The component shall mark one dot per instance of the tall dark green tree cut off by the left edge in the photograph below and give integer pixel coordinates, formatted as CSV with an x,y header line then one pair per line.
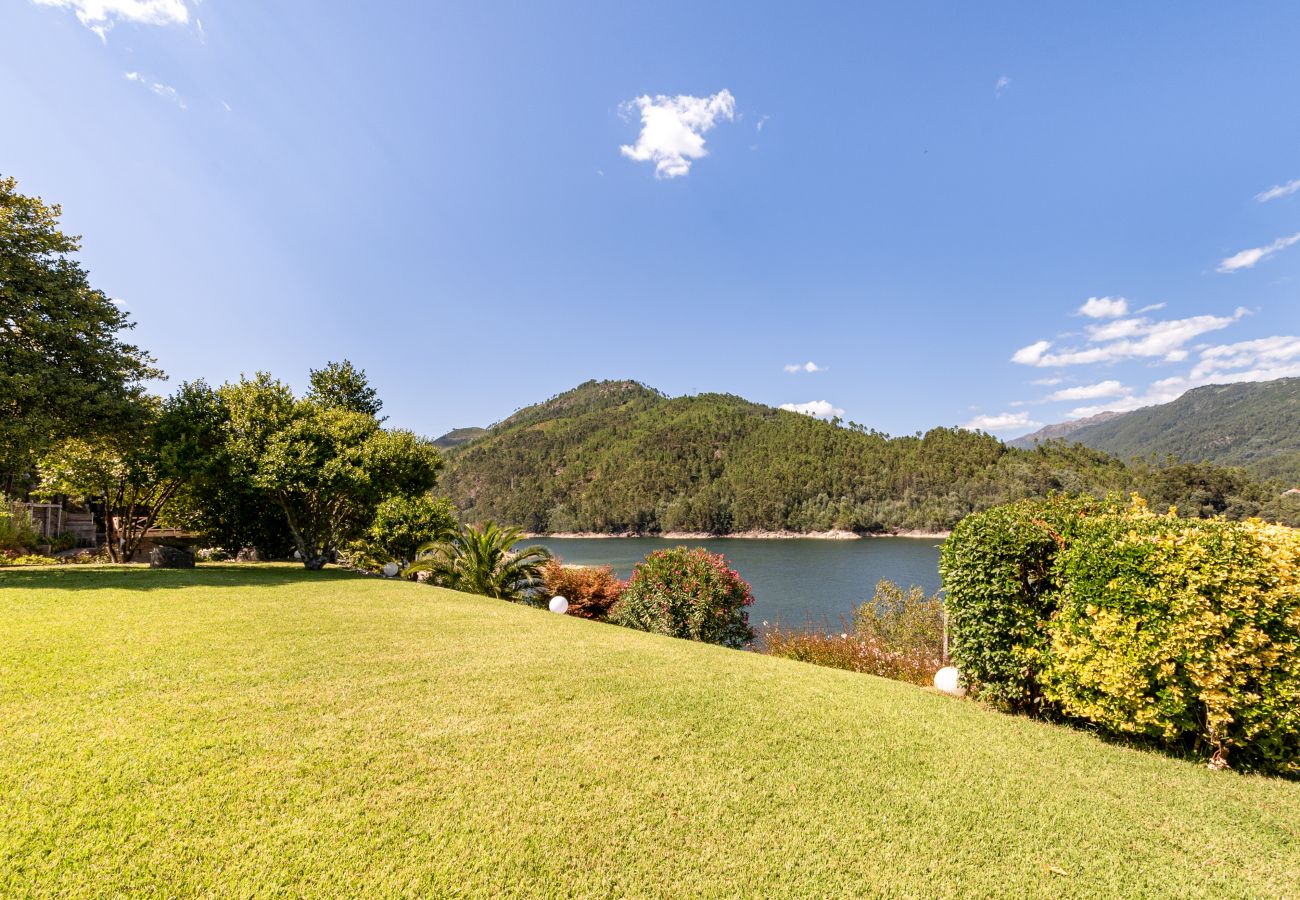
x,y
64,369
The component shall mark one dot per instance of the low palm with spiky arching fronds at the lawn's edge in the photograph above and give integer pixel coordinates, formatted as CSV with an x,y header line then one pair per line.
x,y
482,561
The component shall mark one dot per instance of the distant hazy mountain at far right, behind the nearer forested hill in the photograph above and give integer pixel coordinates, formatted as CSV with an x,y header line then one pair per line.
x,y
1255,426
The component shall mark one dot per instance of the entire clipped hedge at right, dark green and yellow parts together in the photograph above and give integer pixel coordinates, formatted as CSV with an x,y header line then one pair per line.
x,y
1181,631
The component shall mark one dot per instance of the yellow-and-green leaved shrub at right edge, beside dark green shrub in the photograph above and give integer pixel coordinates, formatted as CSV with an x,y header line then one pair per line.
x,y
1185,633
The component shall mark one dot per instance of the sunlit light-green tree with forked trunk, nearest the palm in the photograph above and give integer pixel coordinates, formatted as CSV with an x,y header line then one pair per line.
x,y
327,468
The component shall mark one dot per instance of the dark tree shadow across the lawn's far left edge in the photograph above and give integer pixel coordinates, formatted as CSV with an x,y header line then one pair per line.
x,y
142,578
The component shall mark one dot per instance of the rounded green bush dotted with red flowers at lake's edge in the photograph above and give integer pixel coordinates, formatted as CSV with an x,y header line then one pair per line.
x,y
687,594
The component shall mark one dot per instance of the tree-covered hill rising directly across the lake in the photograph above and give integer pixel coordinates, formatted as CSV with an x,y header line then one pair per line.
x,y
617,456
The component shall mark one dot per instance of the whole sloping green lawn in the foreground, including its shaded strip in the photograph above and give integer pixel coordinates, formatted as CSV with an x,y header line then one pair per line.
x,y
239,732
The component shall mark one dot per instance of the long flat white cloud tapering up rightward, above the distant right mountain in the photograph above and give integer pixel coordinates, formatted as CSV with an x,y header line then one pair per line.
x,y
1129,339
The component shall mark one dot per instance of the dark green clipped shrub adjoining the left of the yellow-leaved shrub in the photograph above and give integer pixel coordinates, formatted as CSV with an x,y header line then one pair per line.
x,y
999,582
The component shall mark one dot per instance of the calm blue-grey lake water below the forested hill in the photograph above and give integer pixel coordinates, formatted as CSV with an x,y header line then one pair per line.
x,y
795,581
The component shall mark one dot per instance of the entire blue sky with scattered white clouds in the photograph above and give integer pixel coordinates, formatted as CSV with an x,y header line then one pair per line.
x,y
993,215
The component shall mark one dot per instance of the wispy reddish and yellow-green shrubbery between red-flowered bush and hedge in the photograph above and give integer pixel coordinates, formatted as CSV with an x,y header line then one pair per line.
x,y
899,634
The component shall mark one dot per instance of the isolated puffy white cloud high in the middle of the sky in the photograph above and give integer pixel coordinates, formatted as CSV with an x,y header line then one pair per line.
x,y
673,129
